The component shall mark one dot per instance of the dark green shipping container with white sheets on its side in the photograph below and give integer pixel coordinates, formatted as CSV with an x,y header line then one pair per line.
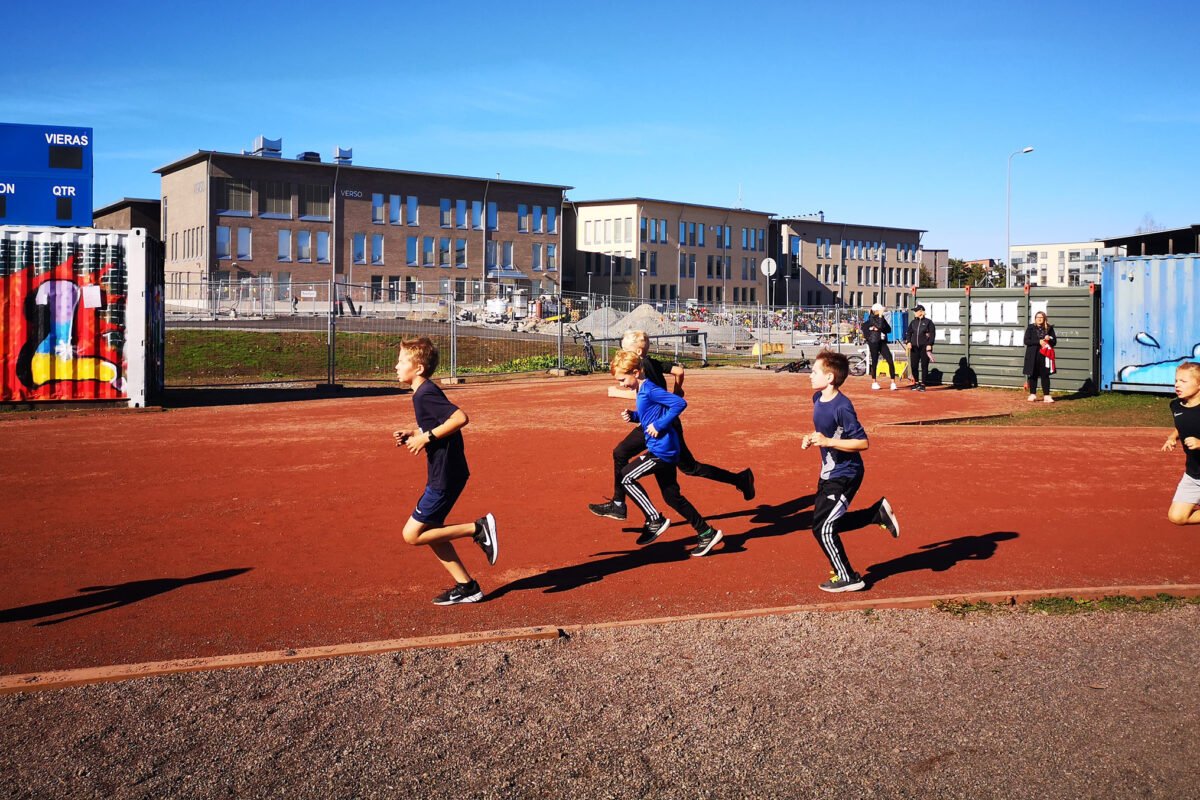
x,y
981,335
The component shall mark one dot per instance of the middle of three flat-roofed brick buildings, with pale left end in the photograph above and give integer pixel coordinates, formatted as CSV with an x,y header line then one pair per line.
x,y
664,251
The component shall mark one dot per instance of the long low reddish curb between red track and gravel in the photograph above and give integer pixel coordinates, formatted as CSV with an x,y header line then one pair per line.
x,y
70,678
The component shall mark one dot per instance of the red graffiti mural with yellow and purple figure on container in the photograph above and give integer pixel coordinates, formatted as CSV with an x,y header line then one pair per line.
x,y
63,333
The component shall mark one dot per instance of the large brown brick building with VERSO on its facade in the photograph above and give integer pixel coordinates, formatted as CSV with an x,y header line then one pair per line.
x,y
230,218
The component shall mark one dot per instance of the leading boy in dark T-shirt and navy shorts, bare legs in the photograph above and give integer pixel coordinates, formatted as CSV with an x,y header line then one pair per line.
x,y
439,434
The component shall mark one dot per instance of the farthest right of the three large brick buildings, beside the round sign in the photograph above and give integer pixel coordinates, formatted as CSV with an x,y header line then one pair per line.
x,y
829,263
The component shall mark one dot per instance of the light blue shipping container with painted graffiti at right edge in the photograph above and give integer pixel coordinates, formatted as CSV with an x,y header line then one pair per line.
x,y
1151,321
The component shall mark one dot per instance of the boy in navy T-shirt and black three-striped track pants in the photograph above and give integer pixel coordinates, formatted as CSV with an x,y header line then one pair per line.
x,y
842,440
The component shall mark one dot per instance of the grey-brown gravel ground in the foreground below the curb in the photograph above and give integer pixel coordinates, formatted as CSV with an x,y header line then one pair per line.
x,y
874,705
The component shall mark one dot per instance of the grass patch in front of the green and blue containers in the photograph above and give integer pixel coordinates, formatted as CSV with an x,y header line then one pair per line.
x,y
1103,411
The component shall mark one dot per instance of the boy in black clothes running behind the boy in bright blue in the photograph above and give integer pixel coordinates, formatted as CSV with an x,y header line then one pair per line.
x,y
635,443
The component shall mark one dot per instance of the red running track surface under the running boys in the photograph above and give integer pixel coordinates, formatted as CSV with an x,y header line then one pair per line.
x,y
201,532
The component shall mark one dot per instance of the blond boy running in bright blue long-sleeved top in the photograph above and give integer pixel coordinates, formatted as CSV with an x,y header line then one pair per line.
x,y
657,413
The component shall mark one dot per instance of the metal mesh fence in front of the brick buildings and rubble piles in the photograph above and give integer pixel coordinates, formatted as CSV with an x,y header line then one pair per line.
x,y
255,332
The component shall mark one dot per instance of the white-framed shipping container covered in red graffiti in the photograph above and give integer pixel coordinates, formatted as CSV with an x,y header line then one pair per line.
x,y
80,315
